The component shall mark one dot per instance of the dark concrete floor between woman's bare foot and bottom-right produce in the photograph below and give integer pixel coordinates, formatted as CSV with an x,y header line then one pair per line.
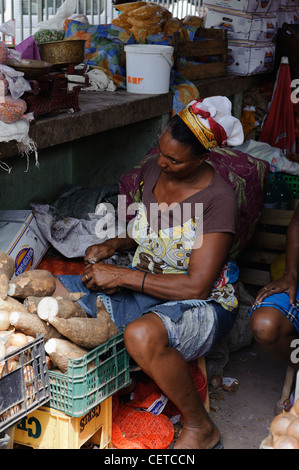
x,y
244,416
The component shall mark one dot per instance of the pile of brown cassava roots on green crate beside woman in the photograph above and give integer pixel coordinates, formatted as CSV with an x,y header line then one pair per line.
x,y
28,308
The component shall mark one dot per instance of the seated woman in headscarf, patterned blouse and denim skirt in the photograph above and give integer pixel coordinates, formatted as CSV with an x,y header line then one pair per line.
x,y
179,295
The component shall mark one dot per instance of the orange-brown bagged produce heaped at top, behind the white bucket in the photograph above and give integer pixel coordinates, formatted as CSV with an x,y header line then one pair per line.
x,y
142,19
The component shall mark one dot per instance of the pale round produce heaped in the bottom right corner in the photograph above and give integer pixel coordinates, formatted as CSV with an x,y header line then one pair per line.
x,y
284,430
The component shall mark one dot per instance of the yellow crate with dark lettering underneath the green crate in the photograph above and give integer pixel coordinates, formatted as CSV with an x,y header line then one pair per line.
x,y
47,428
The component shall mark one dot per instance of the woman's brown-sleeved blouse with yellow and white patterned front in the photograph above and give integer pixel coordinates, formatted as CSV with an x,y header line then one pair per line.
x,y
165,238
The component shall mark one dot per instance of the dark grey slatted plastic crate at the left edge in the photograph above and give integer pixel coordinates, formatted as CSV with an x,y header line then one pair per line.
x,y
25,388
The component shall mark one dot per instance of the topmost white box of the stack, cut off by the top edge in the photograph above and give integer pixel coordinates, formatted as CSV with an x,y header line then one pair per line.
x,y
248,6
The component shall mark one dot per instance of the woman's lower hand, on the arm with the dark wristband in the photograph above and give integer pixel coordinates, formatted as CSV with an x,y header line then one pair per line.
x,y
102,276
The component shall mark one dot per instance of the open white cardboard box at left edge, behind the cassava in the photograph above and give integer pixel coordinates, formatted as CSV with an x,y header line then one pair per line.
x,y
21,238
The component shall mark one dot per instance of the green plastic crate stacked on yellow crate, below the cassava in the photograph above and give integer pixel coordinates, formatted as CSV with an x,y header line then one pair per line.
x,y
79,407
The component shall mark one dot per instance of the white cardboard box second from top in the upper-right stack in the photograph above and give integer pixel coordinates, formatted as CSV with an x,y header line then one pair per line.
x,y
243,26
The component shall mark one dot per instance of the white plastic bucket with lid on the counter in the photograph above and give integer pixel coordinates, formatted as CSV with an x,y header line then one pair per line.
x,y
148,68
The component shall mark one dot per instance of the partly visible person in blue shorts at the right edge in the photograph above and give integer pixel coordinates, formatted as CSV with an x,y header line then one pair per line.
x,y
275,313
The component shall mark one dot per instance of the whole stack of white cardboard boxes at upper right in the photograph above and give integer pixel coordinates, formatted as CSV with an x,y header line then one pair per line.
x,y
251,27
